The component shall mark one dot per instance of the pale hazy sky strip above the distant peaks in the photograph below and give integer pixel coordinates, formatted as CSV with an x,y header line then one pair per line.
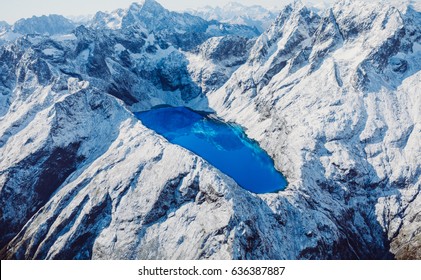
x,y
12,10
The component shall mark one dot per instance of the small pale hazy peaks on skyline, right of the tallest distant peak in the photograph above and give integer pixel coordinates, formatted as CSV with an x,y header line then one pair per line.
x,y
236,13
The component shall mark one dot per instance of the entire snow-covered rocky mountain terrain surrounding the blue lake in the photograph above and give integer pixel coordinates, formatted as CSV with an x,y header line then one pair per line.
x,y
332,96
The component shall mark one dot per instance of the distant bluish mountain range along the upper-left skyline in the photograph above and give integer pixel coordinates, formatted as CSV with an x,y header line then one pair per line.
x,y
180,29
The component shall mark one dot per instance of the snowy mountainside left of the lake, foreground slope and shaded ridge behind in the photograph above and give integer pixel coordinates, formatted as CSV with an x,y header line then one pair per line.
x,y
63,129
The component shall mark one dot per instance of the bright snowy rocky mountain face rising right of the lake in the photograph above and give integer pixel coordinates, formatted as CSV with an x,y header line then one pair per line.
x,y
335,100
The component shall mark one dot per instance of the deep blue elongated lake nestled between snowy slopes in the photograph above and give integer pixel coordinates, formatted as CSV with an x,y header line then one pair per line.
x,y
225,146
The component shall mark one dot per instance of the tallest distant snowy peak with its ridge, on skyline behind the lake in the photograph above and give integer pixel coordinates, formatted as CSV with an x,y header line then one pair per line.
x,y
180,29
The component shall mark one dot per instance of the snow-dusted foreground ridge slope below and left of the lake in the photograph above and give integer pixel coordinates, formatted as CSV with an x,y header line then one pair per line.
x,y
97,184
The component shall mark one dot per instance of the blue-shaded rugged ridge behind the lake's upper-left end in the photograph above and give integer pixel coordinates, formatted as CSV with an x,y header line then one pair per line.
x,y
130,64
